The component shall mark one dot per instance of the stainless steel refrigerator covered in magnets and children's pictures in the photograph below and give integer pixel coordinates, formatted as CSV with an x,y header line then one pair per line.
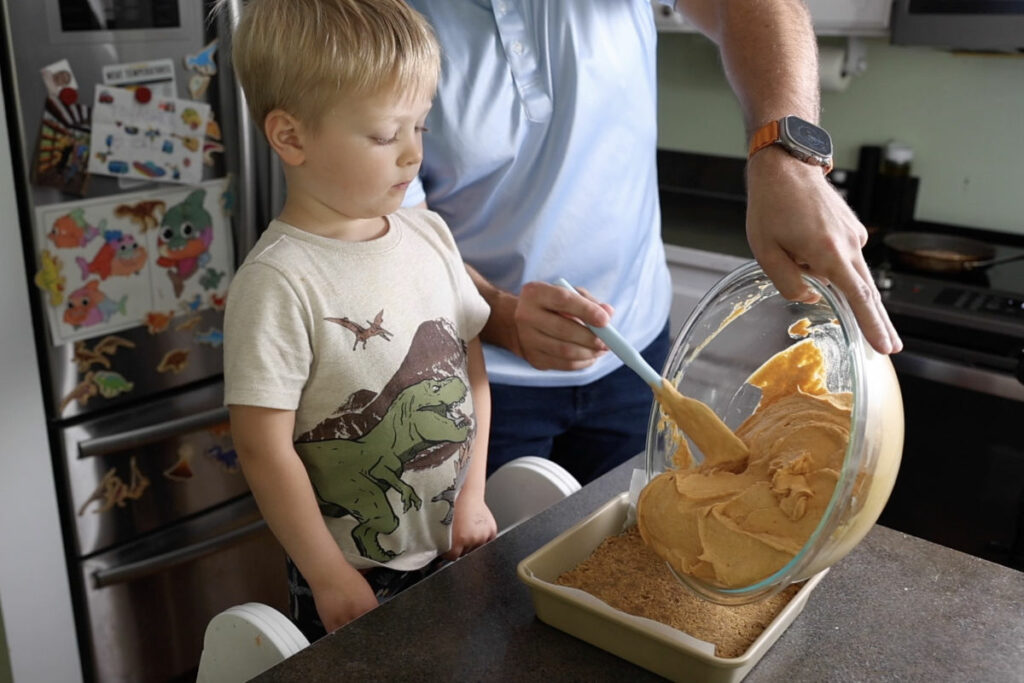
x,y
142,187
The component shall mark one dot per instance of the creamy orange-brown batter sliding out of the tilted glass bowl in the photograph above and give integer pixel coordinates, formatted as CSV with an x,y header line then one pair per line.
x,y
759,494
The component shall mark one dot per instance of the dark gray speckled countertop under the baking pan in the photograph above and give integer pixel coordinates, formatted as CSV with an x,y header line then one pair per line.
x,y
897,609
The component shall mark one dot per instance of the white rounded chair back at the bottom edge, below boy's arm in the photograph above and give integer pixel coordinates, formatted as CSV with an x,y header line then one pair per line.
x,y
244,642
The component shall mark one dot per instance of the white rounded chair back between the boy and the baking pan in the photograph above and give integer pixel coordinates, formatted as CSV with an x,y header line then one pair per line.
x,y
521,489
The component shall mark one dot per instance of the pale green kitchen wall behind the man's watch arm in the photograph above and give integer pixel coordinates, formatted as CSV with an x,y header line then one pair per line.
x,y
964,116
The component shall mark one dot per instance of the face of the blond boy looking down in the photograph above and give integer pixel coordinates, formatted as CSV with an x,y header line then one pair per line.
x,y
365,154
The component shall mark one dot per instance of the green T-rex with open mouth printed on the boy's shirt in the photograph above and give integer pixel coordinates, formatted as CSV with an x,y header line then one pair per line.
x,y
353,477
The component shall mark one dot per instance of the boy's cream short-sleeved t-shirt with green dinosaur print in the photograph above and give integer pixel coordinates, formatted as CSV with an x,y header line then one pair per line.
x,y
367,343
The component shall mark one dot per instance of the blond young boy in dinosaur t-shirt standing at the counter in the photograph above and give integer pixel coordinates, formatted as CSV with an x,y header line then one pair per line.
x,y
359,400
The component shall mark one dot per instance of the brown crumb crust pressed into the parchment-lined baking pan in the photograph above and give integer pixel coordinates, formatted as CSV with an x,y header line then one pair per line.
x,y
628,576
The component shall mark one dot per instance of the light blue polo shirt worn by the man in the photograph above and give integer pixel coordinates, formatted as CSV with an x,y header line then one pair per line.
x,y
541,156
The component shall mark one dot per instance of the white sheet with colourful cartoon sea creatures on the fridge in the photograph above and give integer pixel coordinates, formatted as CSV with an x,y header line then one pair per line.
x,y
113,263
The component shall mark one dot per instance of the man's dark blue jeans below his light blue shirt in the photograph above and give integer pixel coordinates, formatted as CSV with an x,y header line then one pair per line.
x,y
587,430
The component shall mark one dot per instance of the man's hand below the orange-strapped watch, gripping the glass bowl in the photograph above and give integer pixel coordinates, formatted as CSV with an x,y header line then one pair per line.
x,y
797,224
